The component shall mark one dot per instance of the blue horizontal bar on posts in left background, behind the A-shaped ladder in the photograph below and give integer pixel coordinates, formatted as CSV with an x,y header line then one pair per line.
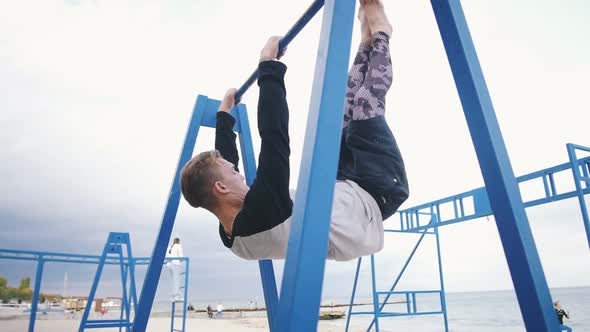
x,y
42,257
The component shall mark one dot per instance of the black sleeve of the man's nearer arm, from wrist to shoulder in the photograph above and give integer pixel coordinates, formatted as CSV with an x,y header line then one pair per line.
x,y
268,202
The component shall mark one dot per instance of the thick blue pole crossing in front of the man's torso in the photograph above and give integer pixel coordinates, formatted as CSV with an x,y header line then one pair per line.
x,y
308,243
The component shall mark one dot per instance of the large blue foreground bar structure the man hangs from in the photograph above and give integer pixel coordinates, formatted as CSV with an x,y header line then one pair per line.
x,y
307,250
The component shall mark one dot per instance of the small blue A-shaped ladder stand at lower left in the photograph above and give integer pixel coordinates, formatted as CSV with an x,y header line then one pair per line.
x,y
114,246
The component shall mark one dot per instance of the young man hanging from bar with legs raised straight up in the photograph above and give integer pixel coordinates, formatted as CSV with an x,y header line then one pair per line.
x,y
371,182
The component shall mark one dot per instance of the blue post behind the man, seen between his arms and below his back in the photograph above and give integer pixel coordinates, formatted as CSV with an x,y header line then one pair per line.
x,y
269,285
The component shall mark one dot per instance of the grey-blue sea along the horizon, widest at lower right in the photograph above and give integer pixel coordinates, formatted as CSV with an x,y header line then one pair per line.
x,y
467,312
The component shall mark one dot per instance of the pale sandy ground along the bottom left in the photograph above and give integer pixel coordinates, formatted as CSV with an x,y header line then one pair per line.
x,y
159,324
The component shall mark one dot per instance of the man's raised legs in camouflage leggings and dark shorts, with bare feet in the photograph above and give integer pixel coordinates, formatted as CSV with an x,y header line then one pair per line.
x,y
375,161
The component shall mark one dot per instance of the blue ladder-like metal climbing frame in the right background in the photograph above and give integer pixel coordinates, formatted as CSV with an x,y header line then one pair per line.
x,y
428,217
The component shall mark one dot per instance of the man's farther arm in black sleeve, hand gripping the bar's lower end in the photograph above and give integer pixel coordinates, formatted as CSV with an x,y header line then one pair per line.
x,y
225,138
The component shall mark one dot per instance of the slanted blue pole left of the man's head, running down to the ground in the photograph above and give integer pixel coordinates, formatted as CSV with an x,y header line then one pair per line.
x,y
150,284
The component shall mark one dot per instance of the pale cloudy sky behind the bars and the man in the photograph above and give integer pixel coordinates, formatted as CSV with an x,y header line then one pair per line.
x,y
96,96
